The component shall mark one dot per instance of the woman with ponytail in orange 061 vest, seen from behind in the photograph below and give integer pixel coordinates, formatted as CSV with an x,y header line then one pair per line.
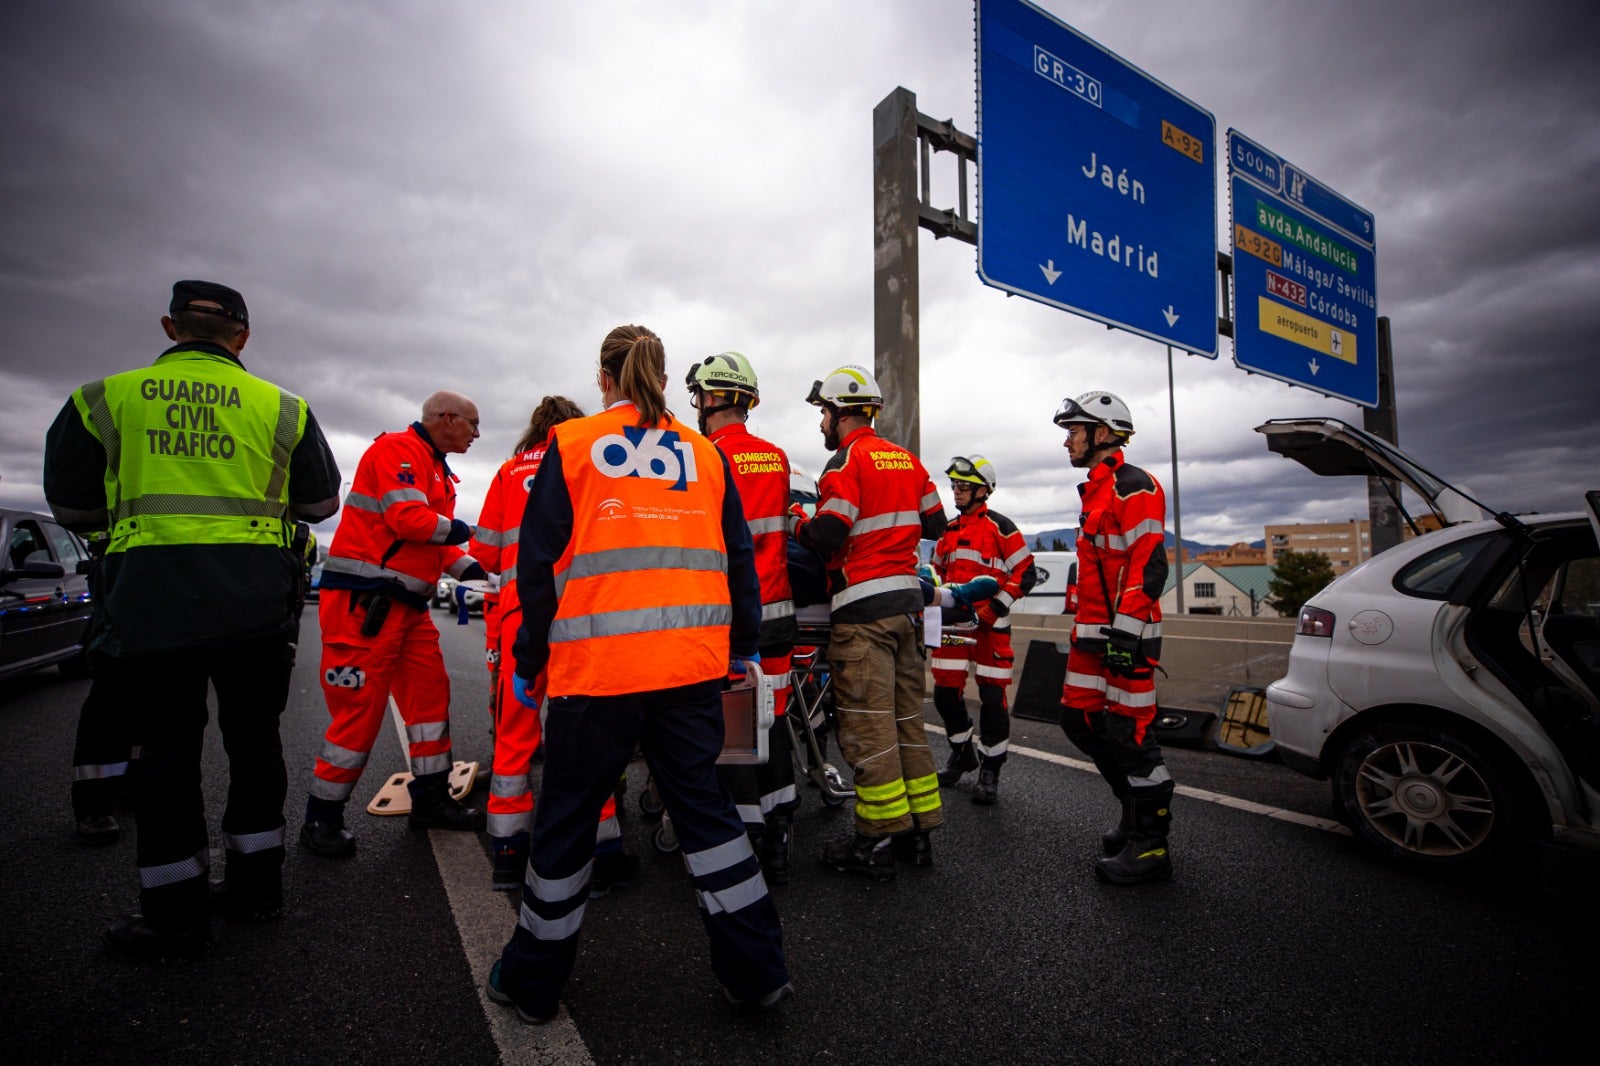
x,y
638,582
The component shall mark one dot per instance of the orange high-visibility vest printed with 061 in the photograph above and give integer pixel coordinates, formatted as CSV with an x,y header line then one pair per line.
x,y
644,582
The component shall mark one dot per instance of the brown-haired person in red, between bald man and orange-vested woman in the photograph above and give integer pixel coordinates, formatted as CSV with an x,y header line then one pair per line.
x,y
516,724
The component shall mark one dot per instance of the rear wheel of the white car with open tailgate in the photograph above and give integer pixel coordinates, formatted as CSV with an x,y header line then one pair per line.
x,y
1425,798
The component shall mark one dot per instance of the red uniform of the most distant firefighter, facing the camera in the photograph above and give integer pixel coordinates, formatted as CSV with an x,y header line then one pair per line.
x,y
980,543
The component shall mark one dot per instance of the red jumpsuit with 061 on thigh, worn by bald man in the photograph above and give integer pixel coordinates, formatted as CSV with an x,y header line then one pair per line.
x,y
391,537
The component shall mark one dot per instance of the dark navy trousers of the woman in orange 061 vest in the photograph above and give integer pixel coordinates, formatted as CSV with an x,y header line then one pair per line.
x,y
588,742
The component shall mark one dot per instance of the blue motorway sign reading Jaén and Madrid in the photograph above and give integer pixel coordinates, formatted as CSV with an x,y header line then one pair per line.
x,y
1097,185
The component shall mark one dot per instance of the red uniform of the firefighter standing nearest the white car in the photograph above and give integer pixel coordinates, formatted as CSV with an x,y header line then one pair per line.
x,y
1122,572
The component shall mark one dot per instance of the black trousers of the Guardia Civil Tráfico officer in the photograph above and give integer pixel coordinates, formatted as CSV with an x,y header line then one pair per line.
x,y
169,700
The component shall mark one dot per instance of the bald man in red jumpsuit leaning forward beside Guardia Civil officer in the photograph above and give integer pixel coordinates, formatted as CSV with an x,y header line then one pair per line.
x,y
398,535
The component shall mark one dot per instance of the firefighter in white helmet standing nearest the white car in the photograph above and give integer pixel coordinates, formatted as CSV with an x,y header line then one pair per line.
x,y
1110,695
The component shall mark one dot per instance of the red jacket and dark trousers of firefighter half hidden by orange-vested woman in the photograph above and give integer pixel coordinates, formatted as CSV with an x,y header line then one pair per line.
x,y
761,471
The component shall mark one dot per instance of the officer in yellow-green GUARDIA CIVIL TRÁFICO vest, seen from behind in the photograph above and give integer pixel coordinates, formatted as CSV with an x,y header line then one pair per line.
x,y
199,471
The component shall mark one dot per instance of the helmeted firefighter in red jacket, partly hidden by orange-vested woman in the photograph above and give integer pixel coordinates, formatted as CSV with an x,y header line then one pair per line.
x,y
724,390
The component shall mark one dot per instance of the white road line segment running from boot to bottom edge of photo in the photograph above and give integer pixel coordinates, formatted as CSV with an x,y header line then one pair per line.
x,y
484,923
